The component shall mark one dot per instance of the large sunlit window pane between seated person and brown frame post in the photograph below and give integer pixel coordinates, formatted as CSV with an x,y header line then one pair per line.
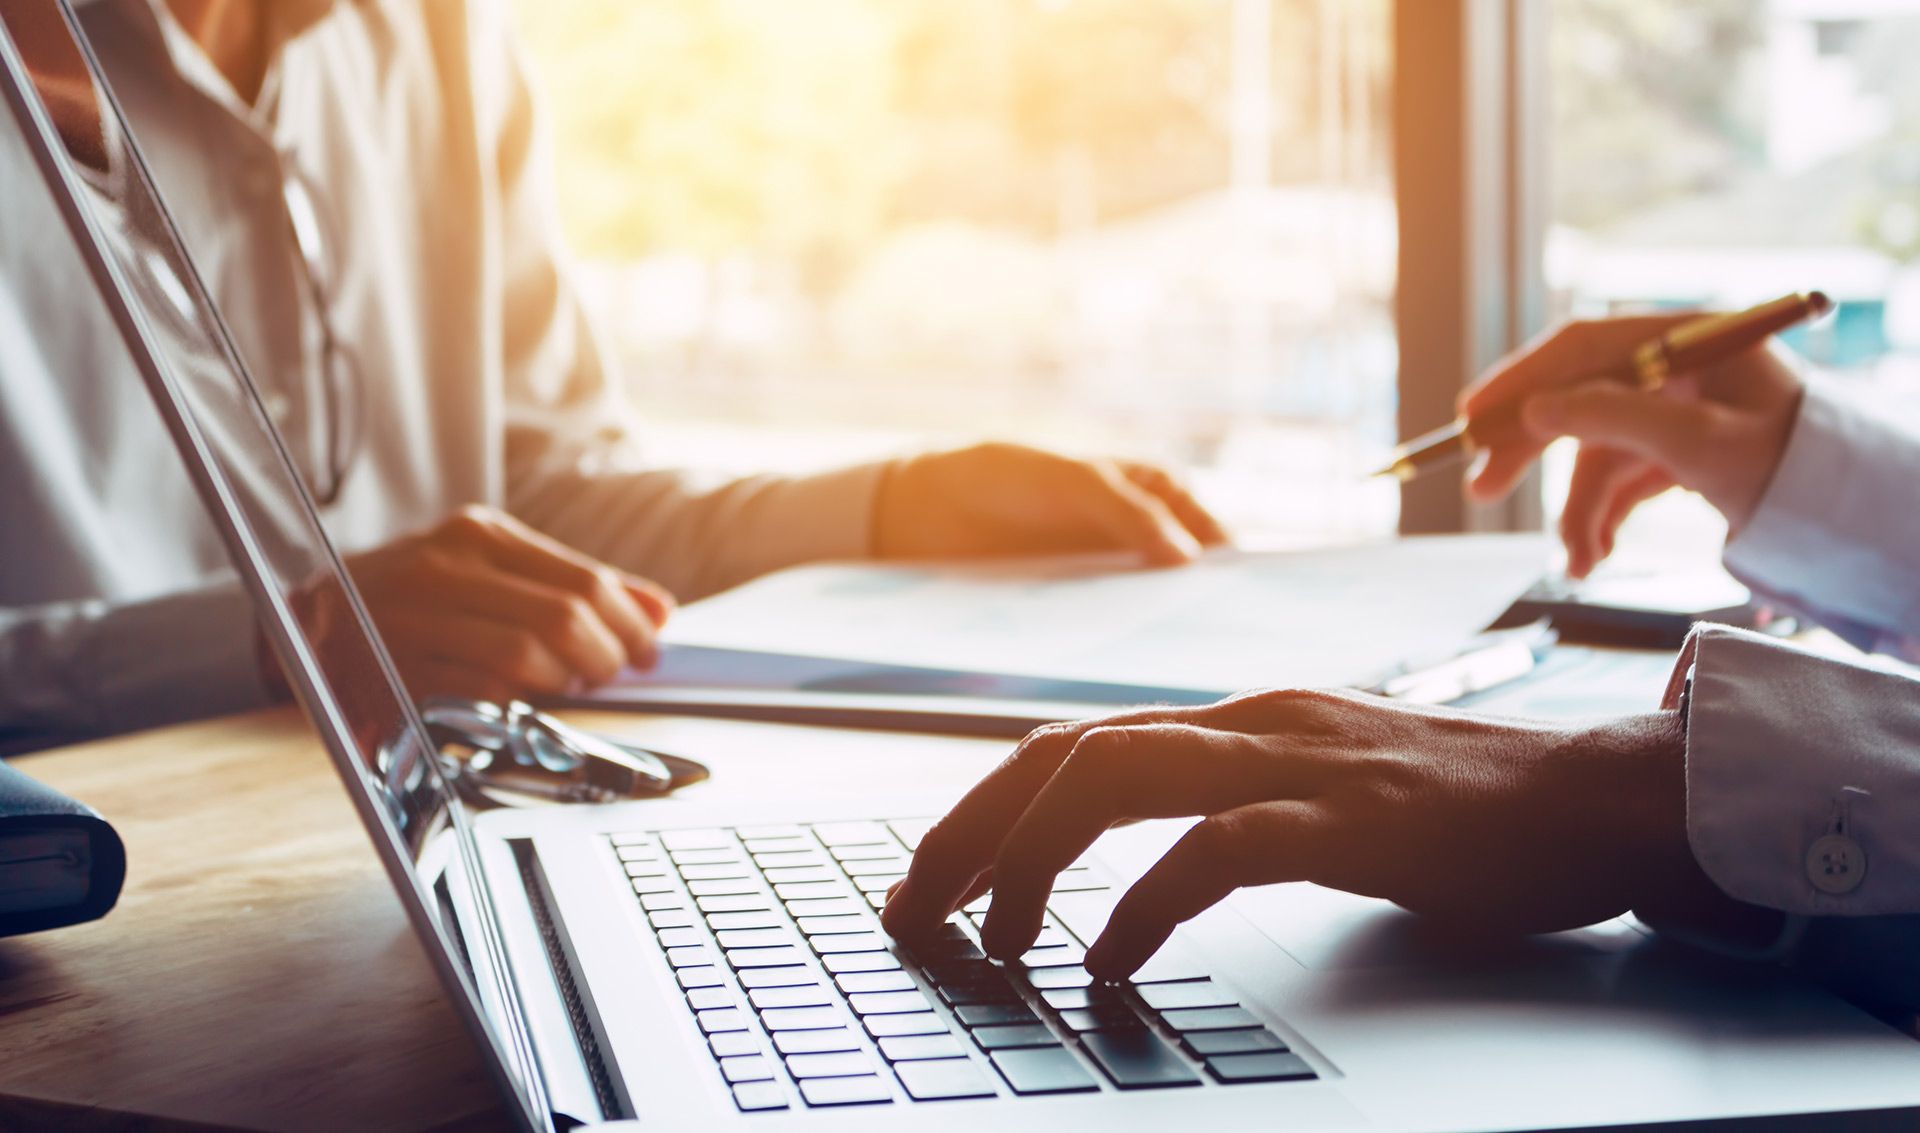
x,y
827,229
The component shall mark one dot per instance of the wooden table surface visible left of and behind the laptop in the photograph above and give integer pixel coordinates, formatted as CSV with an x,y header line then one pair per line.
x,y
258,971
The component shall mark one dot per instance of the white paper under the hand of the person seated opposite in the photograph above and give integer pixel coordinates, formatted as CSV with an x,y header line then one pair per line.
x,y
1237,619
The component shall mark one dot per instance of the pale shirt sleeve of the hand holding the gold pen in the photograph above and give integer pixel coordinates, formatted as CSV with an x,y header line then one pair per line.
x,y
1836,537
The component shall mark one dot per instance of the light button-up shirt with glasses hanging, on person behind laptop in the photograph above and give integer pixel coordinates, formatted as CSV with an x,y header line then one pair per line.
x,y
418,133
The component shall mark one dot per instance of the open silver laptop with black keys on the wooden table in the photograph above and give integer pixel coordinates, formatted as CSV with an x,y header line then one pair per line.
x,y
721,967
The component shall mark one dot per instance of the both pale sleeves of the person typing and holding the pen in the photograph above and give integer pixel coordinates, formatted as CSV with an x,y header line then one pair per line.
x,y
1804,771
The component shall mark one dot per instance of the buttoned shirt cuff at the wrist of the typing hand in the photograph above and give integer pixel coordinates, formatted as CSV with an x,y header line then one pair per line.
x,y
1802,777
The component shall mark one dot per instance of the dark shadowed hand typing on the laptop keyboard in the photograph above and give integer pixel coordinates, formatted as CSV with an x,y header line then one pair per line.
x,y
1512,825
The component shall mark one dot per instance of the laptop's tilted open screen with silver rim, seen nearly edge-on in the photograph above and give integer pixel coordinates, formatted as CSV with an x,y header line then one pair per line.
x,y
393,765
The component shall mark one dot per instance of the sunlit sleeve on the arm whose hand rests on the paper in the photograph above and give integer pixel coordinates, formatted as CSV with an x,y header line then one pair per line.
x,y
571,462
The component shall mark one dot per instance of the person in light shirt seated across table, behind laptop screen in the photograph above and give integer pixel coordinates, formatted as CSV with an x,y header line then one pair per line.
x,y
366,191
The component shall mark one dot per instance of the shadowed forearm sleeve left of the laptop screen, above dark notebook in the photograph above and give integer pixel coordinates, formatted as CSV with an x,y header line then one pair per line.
x,y
80,669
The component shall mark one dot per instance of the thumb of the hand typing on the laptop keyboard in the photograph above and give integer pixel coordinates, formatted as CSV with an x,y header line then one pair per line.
x,y
1262,844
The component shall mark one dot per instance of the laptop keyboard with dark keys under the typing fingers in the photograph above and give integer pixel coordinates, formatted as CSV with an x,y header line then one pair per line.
x,y
775,940
